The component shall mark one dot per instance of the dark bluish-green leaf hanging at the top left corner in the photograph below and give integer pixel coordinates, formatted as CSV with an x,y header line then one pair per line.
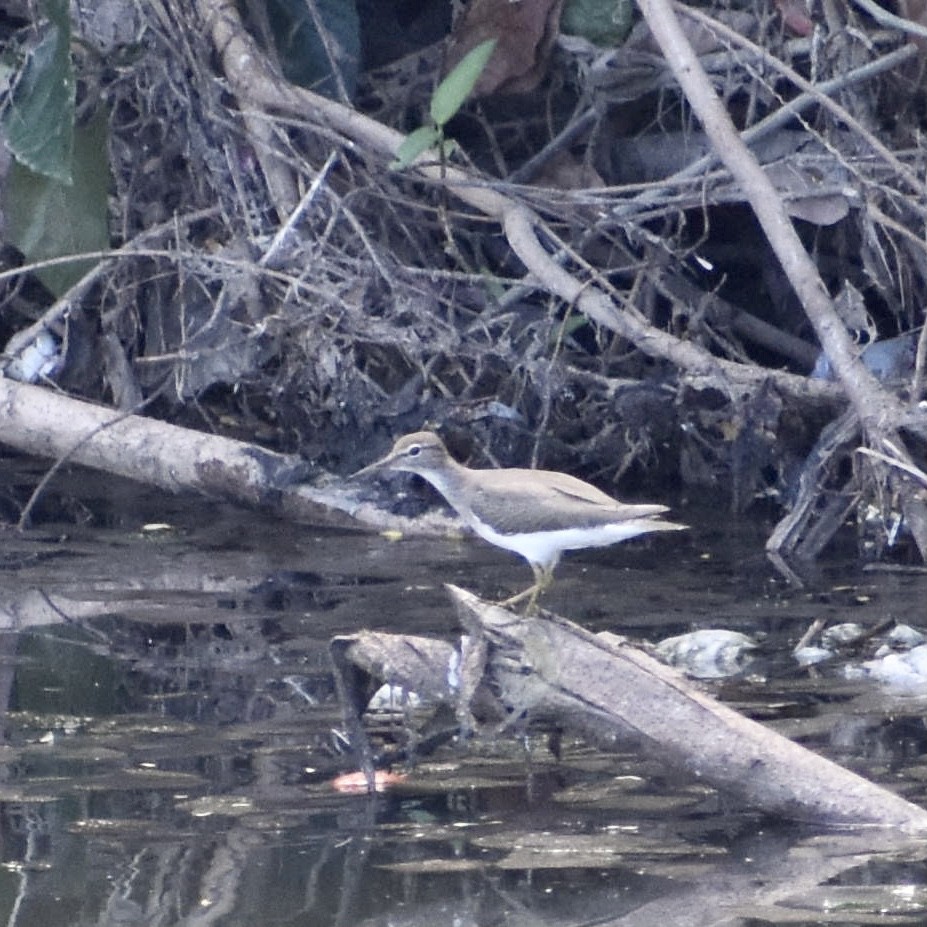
x,y
38,119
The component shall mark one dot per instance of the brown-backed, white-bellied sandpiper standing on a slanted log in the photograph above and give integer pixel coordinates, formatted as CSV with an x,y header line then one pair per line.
x,y
536,513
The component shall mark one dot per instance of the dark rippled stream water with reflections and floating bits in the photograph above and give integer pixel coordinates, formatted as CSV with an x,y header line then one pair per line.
x,y
171,734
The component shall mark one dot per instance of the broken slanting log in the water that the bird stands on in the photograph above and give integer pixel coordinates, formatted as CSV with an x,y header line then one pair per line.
x,y
550,669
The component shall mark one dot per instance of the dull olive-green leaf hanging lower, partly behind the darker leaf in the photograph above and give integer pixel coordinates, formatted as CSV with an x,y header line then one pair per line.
x,y
48,218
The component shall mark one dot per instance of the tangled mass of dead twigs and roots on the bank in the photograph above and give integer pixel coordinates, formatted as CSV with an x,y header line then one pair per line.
x,y
603,276
